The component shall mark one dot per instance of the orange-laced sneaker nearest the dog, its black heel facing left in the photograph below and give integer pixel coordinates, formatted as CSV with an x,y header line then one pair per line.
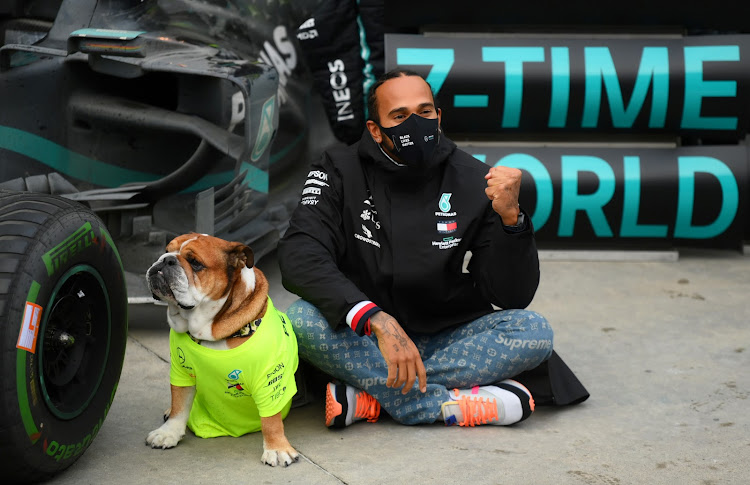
x,y
346,404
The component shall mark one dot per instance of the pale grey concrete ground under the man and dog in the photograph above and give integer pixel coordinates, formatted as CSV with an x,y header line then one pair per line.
x,y
662,346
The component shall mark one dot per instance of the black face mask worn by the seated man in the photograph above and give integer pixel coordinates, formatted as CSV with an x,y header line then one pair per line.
x,y
414,140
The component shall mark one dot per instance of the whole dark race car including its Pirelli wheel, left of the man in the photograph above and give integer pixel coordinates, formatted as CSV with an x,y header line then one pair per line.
x,y
122,124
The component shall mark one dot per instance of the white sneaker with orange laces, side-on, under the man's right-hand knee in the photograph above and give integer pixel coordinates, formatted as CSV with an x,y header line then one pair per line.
x,y
505,403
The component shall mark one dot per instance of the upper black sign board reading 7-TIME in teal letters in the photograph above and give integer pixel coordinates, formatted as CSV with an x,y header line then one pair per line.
x,y
504,86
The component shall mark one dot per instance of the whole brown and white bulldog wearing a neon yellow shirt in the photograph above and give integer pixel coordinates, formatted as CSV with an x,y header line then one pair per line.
x,y
225,330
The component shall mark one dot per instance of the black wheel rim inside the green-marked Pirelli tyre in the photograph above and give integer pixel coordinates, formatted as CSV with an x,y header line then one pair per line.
x,y
75,336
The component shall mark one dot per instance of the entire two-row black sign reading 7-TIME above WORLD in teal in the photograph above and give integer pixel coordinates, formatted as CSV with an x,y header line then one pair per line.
x,y
527,92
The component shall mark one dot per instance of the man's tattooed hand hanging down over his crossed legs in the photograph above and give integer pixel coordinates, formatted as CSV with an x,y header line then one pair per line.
x,y
401,355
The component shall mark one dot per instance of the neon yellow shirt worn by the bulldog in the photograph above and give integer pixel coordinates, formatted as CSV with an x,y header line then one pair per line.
x,y
236,387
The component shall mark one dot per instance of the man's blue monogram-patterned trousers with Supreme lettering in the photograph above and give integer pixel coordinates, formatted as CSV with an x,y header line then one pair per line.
x,y
497,346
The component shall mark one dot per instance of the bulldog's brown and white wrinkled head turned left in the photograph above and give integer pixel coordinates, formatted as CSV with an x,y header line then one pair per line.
x,y
195,276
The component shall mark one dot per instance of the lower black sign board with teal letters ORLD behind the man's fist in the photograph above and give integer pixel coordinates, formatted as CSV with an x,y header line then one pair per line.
x,y
614,196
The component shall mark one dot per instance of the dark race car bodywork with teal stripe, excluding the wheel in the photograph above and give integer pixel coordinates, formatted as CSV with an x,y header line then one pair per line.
x,y
163,116
